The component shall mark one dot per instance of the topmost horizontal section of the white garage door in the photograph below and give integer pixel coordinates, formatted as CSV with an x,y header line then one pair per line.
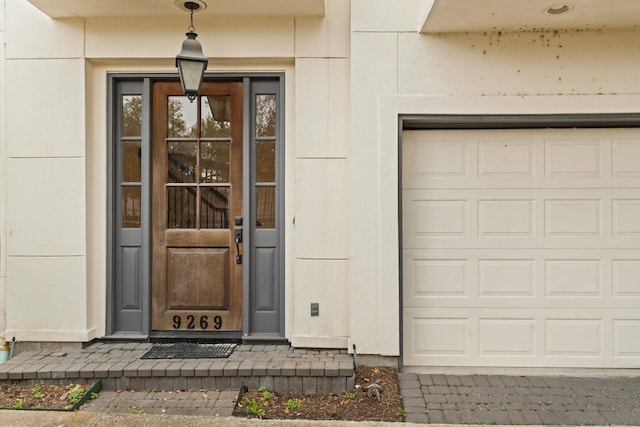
x,y
542,158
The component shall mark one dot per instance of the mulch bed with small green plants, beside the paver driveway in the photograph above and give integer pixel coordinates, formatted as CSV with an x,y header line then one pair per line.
x,y
359,404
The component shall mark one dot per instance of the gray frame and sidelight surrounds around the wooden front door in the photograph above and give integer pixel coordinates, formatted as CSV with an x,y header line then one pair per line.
x,y
128,275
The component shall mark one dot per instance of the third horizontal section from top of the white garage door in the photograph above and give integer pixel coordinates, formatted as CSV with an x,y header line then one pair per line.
x,y
521,278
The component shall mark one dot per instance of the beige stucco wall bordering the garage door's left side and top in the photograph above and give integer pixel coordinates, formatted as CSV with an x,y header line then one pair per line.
x,y
396,70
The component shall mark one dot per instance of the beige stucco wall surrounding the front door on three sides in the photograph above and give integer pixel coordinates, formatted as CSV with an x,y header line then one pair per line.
x,y
56,149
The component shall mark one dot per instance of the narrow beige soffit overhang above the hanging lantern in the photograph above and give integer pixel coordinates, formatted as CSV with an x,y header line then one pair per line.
x,y
124,8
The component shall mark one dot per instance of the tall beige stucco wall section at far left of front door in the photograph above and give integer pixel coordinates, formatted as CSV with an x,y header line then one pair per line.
x,y
45,186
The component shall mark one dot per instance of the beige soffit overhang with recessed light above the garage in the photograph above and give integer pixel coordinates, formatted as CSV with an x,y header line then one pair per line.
x,y
477,16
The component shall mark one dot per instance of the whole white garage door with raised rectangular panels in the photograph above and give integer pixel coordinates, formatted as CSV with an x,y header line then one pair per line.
x,y
521,247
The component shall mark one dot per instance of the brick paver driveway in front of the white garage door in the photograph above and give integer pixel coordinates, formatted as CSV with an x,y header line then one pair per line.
x,y
509,400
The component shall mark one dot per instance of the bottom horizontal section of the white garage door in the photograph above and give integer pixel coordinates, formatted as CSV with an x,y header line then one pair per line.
x,y
522,337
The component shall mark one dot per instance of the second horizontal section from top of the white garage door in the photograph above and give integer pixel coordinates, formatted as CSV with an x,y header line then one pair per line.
x,y
544,218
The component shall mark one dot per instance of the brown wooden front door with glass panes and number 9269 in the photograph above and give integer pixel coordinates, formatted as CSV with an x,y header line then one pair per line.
x,y
196,208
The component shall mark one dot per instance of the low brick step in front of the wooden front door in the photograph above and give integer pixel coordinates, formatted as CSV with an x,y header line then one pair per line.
x,y
278,368
